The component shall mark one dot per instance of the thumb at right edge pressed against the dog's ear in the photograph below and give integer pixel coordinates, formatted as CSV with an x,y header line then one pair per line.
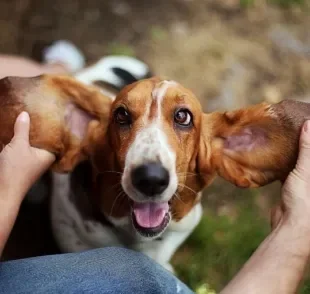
x,y
303,163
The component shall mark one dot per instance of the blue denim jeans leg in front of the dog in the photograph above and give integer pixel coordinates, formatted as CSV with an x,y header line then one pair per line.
x,y
106,270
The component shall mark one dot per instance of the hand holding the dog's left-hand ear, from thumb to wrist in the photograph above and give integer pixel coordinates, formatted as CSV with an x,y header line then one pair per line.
x,y
20,164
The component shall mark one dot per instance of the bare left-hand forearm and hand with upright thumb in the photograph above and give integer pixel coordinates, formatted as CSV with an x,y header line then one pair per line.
x,y
20,166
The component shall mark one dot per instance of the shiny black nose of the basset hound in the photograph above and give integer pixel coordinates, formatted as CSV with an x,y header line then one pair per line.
x,y
150,179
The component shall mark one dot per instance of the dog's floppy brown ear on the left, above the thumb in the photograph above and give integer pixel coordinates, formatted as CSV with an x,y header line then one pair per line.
x,y
66,115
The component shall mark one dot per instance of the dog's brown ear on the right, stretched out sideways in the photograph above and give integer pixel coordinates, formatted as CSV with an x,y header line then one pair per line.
x,y
254,146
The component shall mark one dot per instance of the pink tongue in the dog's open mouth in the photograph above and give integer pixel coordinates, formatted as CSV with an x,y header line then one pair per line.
x,y
150,215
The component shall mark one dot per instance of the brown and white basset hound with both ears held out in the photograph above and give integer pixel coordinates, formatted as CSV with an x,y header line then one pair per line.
x,y
130,172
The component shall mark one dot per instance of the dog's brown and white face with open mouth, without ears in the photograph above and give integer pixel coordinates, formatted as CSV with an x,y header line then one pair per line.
x,y
155,126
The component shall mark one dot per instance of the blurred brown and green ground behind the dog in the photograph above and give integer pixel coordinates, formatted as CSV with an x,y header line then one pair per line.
x,y
231,53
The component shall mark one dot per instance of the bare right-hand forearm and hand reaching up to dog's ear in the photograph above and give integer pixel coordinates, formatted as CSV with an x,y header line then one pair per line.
x,y
279,263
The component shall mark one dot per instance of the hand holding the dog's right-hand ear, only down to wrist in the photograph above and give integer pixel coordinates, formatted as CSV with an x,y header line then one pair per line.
x,y
295,204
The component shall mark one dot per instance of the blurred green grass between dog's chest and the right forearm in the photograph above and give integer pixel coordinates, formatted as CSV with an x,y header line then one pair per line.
x,y
219,247
